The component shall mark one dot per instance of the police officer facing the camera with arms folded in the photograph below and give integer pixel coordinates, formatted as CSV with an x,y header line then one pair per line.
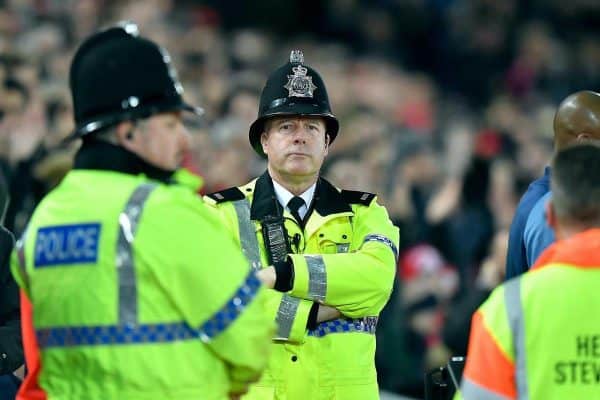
x,y
328,254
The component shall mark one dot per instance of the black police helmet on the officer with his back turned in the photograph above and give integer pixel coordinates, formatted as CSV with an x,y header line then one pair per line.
x,y
117,75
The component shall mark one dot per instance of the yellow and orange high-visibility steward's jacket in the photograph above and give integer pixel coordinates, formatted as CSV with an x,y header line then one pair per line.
x,y
538,335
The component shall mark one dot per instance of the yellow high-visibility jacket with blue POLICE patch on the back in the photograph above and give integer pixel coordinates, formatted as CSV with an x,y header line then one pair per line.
x,y
138,293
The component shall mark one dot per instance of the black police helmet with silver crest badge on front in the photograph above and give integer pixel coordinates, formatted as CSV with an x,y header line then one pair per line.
x,y
293,89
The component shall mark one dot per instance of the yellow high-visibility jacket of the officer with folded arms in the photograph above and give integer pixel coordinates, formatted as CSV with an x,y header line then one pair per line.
x,y
344,257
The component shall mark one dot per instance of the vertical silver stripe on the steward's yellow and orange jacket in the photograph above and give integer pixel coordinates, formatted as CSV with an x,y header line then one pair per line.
x,y
514,310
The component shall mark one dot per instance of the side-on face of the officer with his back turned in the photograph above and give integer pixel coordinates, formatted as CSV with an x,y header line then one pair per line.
x,y
162,140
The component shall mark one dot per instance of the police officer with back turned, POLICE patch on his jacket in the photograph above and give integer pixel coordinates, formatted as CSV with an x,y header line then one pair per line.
x,y
137,292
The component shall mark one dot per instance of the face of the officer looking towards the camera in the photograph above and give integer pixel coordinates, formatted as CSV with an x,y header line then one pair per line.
x,y
295,146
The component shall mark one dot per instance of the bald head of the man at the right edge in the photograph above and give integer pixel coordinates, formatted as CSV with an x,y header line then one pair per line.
x,y
577,119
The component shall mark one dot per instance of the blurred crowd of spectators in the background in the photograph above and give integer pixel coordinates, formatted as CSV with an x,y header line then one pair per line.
x,y
445,107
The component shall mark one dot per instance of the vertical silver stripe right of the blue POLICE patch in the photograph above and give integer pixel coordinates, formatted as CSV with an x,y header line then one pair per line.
x,y
128,222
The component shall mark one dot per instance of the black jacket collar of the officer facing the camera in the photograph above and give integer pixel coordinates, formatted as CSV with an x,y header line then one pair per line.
x,y
327,199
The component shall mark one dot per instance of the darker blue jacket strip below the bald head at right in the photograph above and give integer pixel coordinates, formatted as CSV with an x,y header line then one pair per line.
x,y
516,257
